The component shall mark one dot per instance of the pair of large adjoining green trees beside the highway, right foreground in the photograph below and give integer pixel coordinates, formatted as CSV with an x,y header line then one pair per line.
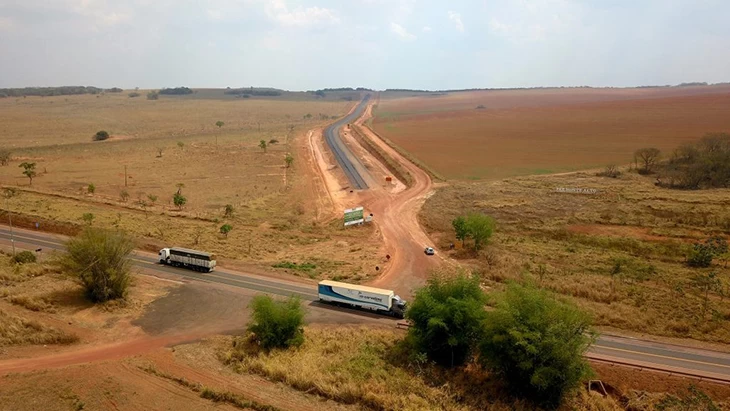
x,y
533,341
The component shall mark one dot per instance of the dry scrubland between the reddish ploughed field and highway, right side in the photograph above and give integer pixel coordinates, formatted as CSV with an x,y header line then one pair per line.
x,y
570,243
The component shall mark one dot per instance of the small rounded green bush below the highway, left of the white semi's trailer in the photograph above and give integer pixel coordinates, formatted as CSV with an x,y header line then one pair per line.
x,y
277,324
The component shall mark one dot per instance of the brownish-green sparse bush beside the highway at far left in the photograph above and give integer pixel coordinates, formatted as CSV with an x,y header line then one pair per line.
x,y
100,260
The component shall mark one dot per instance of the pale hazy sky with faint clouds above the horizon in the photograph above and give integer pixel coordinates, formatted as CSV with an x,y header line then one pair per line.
x,y
311,44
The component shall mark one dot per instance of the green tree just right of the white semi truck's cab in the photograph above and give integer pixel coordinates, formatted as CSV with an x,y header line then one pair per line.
x,y
446,317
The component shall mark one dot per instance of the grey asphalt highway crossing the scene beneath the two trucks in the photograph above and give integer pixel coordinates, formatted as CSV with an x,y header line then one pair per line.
x,y
706,364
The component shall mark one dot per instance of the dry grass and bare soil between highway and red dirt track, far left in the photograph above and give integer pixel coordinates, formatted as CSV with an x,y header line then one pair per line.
x,y
40,306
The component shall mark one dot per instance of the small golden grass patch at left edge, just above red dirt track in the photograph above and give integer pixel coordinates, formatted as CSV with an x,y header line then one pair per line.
x,y
18,331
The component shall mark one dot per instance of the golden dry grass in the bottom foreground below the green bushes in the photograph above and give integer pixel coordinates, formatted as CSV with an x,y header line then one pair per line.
x,y
364,366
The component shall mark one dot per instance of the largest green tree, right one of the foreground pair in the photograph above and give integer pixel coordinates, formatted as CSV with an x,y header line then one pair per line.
x,y
536,343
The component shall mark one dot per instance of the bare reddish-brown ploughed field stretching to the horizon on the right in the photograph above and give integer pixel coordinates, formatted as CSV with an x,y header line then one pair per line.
x,y
524,132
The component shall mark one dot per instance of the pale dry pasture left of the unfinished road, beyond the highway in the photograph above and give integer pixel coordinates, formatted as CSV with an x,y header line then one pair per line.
x,y
274,208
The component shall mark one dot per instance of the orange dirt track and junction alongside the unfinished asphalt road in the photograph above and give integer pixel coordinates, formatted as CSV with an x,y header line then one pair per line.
x,y
394,208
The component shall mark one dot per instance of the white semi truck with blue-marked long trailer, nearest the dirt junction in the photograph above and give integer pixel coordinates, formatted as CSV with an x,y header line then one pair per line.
x,y
359,296
